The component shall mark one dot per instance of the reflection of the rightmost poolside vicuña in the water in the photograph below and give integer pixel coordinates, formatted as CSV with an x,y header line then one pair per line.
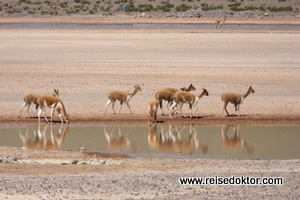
x,y
236,142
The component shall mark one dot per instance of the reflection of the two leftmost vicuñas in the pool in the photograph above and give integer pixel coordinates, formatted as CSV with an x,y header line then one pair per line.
x,y
40,140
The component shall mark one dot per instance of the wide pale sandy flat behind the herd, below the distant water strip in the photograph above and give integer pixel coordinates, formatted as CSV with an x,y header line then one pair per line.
x,y
86,64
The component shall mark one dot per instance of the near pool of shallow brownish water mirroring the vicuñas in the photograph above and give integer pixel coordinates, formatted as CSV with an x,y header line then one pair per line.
x,y
241,142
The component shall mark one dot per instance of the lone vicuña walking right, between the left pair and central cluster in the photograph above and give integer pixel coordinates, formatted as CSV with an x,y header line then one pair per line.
x,y
123,97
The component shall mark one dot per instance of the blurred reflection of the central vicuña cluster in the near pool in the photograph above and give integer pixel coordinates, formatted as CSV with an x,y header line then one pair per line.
x,y
171,140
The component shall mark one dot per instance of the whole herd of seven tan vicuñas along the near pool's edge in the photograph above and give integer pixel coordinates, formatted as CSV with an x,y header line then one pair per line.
x,y
175,98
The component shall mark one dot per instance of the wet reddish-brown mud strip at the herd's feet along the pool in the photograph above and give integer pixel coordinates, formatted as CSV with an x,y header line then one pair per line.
x,y
142,120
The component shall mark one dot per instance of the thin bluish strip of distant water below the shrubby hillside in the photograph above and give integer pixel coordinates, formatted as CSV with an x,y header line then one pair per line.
x,y
143,26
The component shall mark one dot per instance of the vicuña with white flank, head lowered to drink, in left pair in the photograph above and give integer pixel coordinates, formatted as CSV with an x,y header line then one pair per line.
x,y
53,103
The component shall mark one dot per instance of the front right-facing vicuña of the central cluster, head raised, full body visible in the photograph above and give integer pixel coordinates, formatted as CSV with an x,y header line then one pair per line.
x,y
187,97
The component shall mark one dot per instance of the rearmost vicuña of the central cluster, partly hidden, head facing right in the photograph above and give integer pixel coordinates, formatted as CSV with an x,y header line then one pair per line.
x,y
167,95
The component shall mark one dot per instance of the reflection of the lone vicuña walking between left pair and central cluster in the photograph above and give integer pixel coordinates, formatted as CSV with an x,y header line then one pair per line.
x,y
120,143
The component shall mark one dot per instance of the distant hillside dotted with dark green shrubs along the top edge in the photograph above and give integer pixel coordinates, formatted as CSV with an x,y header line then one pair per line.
x,y
153,8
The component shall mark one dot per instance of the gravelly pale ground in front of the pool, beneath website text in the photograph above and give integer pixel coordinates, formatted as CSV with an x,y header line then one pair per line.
x,y
141,178
